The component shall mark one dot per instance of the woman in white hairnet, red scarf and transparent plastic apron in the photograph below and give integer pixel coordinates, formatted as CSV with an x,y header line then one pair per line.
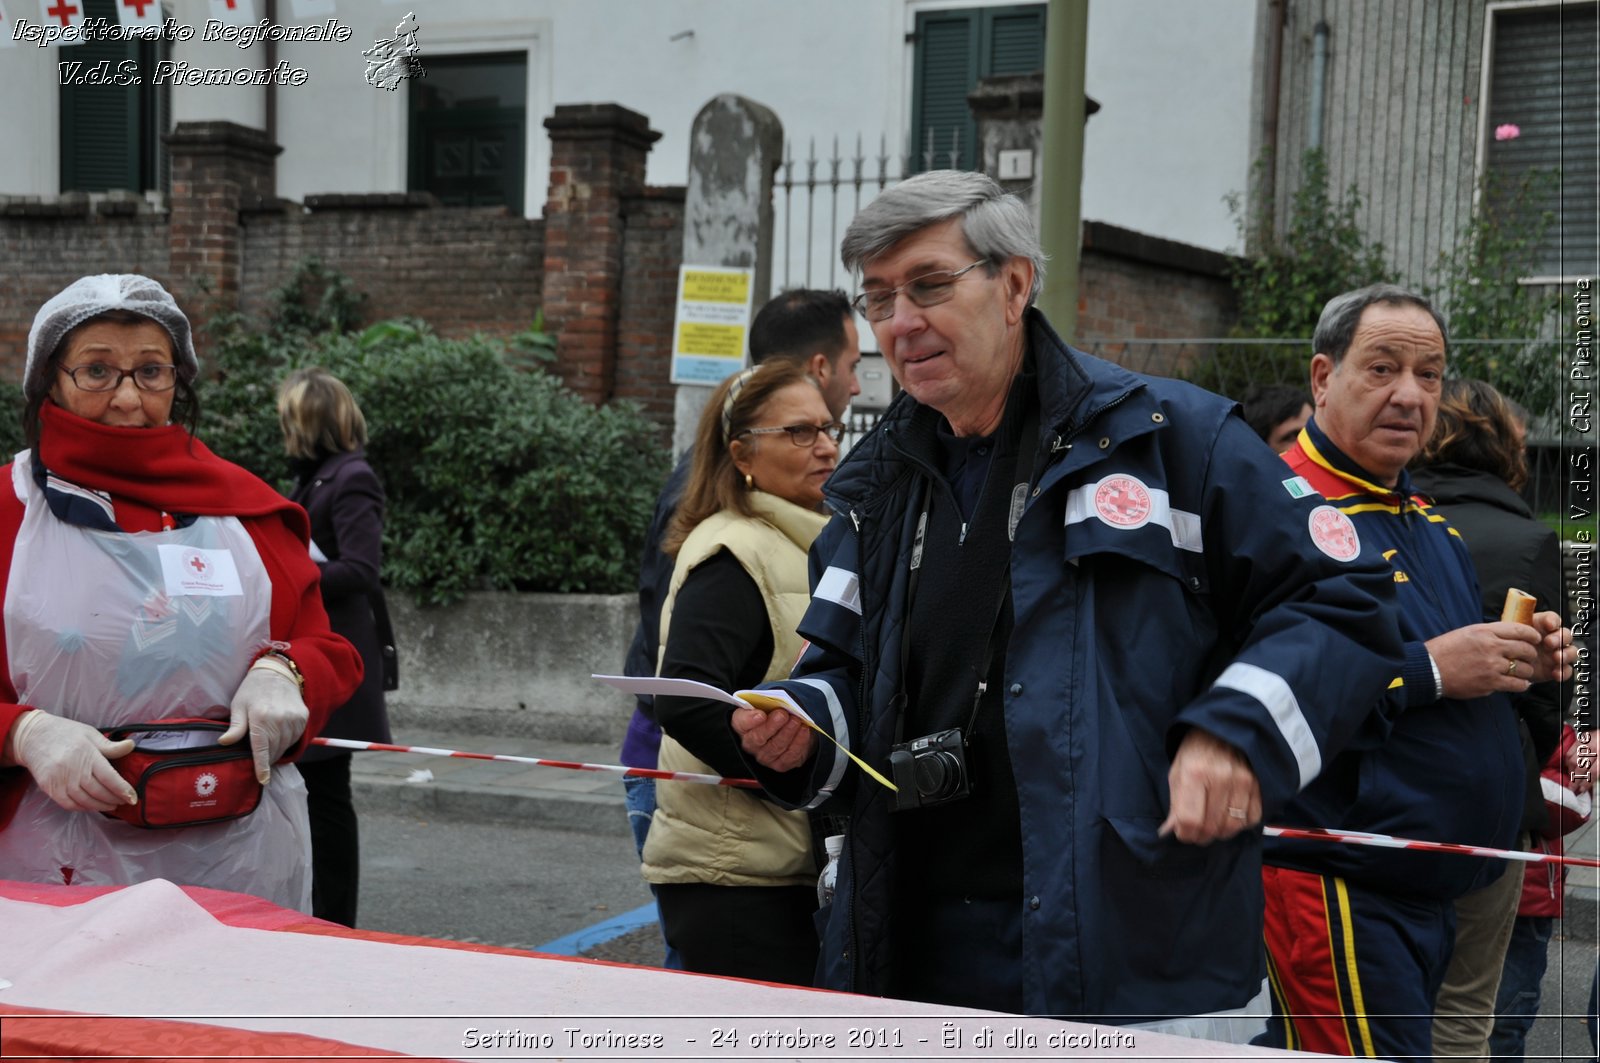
x,y
161,609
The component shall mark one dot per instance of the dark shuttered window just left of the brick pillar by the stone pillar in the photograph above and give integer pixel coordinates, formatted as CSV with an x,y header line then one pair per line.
x,y
468,126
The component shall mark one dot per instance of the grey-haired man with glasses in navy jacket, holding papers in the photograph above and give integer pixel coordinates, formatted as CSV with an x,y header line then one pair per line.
x,y
1082,625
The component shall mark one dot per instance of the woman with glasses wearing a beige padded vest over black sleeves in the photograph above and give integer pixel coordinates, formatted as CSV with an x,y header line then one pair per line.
x,y
735,875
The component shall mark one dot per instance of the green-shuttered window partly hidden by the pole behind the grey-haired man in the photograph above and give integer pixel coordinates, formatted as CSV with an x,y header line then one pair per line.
x,y
954,52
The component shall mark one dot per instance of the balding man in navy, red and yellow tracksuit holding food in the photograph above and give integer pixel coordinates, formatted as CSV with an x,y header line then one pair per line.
x,y
1359,937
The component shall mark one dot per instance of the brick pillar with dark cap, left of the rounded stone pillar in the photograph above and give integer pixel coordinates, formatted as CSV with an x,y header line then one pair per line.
x,y
598,158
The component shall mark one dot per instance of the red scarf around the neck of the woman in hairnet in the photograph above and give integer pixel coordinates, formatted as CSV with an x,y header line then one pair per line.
x,y
161,468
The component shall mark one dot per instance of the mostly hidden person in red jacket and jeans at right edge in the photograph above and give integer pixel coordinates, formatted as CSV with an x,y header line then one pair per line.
x,y
1567,804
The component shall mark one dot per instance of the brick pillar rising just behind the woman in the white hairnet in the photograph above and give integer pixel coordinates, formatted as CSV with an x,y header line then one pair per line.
x,y
218,169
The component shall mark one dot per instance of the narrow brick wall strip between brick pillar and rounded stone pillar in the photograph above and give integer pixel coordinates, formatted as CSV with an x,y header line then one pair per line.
x,y
652,251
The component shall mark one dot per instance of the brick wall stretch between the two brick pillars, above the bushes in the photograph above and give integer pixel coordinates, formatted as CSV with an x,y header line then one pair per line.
x,y
462,270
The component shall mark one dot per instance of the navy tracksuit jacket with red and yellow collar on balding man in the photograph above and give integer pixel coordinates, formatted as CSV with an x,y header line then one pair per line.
x,y
1452,769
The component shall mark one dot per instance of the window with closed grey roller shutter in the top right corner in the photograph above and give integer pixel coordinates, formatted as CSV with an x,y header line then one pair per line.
x,y
1543,114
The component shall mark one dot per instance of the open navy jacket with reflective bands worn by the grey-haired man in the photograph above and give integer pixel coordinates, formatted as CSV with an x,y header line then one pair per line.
x,y
1164,577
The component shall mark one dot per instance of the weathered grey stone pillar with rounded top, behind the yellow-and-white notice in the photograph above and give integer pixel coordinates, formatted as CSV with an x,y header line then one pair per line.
x,y
735,150
